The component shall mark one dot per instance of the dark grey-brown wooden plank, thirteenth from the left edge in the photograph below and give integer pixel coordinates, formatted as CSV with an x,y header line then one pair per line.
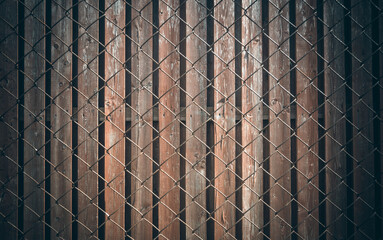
x,y
335,125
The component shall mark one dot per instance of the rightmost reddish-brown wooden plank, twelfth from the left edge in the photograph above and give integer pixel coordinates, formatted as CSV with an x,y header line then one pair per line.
x,y
307,120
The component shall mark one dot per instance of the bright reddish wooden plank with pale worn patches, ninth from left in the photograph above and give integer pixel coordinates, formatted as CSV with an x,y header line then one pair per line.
x,y
224,116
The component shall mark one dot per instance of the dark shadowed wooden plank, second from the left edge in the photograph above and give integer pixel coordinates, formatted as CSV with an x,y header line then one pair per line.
x,y
34,119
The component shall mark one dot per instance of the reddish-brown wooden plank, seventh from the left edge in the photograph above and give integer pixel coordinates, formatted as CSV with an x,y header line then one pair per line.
x,y
168,112
